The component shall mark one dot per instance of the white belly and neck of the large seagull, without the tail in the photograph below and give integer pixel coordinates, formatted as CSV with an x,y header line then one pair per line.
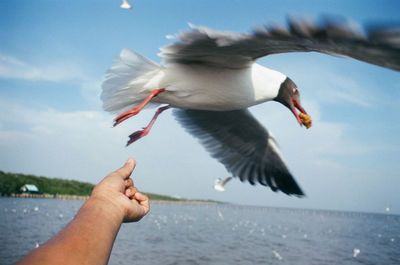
x,y
218,89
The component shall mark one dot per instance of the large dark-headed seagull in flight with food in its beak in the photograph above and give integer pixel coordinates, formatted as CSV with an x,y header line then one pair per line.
x,y
210,78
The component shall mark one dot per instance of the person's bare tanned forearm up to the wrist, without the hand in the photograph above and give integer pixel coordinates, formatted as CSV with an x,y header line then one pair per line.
x,y
87,239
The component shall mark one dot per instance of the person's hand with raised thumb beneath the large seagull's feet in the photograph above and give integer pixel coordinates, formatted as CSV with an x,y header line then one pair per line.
x,y
117,193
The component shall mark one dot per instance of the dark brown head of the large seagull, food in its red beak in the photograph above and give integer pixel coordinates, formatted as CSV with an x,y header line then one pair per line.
x,y
289,96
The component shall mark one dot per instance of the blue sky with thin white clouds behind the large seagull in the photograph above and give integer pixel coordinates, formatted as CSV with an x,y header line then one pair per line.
x,y
53,56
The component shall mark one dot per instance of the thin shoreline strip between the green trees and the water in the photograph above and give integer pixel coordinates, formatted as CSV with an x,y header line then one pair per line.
x,y
83,198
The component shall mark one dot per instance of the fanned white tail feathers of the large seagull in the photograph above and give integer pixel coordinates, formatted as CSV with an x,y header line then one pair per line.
x,y
127,82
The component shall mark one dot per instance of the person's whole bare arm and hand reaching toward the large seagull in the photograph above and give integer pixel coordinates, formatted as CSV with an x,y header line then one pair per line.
x,y
89,237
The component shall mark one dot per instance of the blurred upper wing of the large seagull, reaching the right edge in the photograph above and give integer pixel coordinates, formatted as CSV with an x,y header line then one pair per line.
x,y
201,45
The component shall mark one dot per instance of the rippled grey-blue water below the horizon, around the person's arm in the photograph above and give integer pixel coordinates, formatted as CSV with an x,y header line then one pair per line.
x,y
214,234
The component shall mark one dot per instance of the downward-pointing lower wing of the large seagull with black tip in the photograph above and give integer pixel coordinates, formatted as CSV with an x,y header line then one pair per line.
x,y
242,145
